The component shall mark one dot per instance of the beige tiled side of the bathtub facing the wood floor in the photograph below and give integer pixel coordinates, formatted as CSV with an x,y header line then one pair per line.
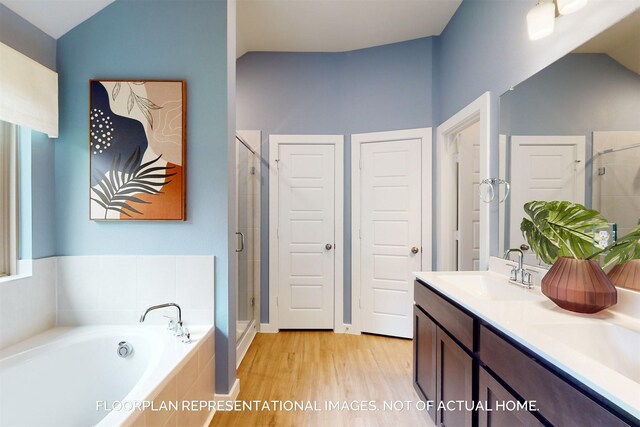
x,y
192,381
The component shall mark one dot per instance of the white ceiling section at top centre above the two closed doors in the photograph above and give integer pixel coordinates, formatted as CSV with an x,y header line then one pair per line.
x,y
337,25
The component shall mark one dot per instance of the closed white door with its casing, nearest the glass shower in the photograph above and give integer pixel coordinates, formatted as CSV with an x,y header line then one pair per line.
x,y
306,210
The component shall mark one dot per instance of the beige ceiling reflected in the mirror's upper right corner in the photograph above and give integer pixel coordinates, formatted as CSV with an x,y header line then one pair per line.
x,y
621,42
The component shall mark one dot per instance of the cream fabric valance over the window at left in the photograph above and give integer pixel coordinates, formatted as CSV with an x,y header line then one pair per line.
x,y
28,92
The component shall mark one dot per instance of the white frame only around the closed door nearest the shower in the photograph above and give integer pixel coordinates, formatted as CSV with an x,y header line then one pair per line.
x,y
338,291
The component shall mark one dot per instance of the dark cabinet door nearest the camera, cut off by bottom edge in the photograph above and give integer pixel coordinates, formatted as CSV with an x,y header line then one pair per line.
x,y
492,397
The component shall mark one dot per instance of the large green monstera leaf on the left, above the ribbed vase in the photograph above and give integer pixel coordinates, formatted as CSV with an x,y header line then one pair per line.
x,y
560,228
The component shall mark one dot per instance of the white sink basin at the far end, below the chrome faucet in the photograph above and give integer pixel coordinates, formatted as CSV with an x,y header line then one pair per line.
x,y
486,286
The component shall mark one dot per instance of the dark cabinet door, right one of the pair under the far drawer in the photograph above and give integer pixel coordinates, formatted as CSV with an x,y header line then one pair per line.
x,y
454,383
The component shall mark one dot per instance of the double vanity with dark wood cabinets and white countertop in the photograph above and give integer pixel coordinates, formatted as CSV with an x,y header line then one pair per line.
x,y
490,353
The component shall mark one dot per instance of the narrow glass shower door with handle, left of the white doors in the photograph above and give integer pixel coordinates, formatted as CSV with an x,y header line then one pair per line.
x,y
245,228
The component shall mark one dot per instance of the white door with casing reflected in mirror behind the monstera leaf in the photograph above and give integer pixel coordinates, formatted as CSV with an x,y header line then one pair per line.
x,y
544,168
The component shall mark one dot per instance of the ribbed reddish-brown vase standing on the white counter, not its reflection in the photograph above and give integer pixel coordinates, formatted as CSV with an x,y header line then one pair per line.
x,y
579,285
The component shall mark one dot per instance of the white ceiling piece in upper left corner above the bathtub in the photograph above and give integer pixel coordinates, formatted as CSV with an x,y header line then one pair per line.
x,y
56,17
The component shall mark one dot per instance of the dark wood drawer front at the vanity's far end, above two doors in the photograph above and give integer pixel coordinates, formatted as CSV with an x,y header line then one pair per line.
x,y
451,318
